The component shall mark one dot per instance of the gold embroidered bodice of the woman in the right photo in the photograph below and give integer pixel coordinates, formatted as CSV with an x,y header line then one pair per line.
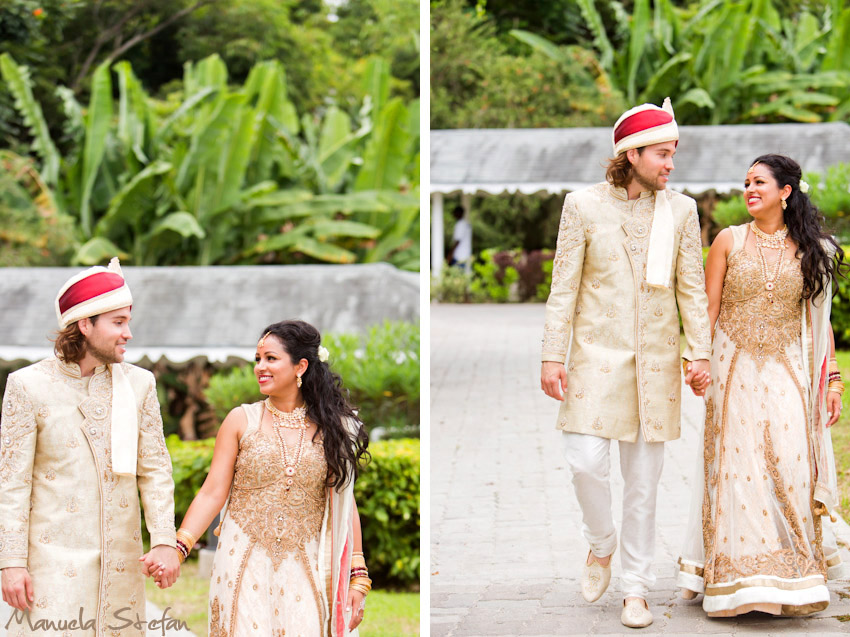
x,y
756,321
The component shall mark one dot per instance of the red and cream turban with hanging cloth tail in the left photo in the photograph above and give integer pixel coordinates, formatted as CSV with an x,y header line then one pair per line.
x,y
96,291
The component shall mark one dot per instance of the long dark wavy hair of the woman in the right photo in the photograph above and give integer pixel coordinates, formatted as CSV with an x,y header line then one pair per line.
x,y
805,226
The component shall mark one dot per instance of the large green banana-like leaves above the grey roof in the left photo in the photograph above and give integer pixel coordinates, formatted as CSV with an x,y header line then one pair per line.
x,y
229,174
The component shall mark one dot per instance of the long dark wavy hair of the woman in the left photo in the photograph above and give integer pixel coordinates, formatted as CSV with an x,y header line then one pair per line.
x,y
326,401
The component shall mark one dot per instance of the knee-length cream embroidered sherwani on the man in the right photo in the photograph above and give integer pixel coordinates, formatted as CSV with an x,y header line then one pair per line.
x,y
623,335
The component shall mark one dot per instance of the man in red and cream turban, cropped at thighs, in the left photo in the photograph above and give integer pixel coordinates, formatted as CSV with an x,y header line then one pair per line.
x,y
81,437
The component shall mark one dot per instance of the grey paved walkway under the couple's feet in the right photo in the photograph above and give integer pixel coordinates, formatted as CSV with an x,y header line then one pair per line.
x,y
505,526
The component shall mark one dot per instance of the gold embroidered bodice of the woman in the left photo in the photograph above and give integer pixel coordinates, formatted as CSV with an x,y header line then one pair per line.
x,y
278,512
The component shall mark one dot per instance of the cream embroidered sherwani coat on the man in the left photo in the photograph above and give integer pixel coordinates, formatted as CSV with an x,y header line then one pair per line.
x,y
64,515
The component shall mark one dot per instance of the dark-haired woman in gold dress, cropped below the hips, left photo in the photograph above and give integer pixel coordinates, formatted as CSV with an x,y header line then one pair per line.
x,y
290,558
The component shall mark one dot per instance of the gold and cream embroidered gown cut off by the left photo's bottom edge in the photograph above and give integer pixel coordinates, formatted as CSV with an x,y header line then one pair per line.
x,y
265,578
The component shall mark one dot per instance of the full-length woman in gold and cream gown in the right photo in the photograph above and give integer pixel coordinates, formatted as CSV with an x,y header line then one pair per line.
x,y
766,474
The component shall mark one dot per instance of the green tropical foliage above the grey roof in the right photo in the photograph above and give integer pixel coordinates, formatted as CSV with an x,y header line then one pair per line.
x,y
722,61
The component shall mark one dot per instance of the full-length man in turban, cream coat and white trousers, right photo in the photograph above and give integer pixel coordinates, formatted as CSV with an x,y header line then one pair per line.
x,y
628,263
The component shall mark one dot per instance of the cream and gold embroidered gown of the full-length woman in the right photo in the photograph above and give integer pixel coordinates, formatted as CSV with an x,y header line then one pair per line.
x,y
755,543
